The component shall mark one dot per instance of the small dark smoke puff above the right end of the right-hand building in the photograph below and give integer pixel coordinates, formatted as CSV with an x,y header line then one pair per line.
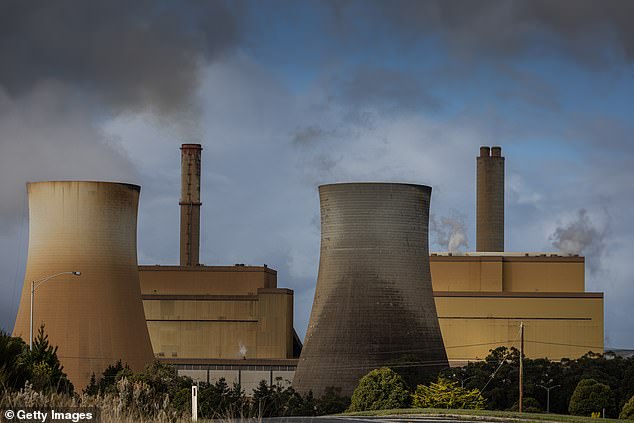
x,y
583,237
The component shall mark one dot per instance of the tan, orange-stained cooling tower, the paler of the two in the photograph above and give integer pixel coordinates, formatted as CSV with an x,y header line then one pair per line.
x,y
96,318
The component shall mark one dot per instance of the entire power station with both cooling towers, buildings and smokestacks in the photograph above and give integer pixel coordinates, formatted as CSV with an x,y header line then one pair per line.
x,y
234,321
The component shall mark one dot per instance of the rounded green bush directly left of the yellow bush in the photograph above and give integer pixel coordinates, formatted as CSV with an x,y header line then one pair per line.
x,y
380,389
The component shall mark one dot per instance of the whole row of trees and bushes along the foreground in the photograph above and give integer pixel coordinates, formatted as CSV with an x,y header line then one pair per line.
x,y
582,386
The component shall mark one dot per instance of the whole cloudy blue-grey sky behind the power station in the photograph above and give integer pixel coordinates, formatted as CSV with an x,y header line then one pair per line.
x,y
285,96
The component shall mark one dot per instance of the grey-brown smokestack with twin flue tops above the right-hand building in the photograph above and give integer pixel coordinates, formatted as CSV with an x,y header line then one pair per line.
x,y
490,200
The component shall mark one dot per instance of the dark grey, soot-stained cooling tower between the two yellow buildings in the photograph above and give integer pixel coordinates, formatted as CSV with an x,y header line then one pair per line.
x,y
373,304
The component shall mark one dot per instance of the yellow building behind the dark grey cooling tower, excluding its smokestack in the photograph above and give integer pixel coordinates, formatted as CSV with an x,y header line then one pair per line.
x,y
481,299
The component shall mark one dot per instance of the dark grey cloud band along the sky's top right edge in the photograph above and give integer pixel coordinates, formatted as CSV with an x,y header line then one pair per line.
x,y
503,28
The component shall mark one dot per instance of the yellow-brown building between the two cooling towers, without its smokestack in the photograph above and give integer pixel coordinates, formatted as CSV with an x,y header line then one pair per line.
x,y
219,312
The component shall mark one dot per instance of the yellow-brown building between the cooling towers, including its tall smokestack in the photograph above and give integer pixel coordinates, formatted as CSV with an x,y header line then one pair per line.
x,y
217,321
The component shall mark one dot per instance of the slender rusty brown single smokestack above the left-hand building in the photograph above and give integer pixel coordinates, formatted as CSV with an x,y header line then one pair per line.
x,y
190,204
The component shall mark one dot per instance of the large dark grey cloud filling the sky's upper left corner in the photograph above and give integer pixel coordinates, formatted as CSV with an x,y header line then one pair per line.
x,y
130,55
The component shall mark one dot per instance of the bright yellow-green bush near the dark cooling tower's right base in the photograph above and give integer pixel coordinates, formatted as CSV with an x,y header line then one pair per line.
x,y
447,394
